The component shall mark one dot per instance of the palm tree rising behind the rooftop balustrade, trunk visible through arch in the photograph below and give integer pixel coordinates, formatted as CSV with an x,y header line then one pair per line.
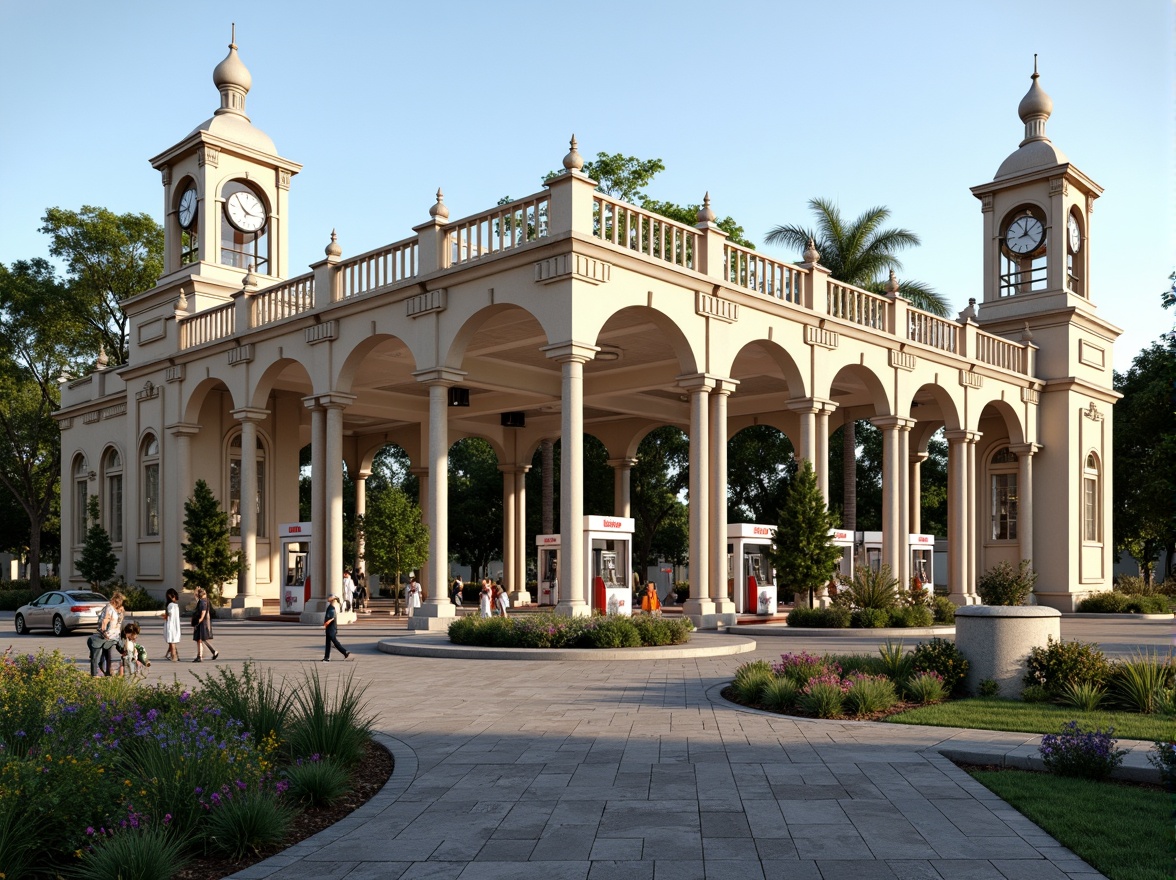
x,y
860,254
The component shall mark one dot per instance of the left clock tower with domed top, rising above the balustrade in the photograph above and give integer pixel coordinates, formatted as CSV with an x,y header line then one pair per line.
x,y
225,196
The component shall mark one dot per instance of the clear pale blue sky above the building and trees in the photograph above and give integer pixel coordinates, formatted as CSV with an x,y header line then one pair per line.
x,y
765,104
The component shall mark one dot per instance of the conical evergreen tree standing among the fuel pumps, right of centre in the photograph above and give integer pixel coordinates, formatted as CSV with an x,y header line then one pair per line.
x,y
803,555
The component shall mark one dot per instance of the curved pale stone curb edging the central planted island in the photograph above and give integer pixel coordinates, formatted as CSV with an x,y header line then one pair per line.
x,y
439,646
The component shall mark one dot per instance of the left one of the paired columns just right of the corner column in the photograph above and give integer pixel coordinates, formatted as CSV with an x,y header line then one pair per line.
x,y
700,606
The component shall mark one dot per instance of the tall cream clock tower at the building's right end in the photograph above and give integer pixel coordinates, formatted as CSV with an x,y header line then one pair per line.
x,y
1038,286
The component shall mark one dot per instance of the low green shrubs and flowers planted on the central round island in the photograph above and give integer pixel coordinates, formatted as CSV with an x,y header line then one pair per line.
x,y
553,631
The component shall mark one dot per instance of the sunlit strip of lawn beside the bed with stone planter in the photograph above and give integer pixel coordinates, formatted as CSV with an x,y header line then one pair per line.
x,y
992,715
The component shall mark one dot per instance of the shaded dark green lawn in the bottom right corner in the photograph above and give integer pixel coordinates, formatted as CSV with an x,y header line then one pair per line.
x,y
1124,831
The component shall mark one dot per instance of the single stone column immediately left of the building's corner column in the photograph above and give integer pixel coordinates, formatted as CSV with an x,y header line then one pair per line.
x,y
437,611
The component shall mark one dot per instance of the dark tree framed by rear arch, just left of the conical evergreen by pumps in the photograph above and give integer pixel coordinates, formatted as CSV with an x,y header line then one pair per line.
x,y
759,468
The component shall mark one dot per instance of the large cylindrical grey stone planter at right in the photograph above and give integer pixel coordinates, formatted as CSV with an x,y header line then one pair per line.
x,y
997,641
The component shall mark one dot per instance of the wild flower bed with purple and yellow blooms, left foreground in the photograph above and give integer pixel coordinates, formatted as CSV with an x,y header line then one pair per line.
x,y
109,777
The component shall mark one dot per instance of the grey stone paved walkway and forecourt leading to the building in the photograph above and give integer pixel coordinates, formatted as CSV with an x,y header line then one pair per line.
x,y
638,770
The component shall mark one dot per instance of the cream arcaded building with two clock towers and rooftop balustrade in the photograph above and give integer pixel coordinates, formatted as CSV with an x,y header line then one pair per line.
x,y
570,312
